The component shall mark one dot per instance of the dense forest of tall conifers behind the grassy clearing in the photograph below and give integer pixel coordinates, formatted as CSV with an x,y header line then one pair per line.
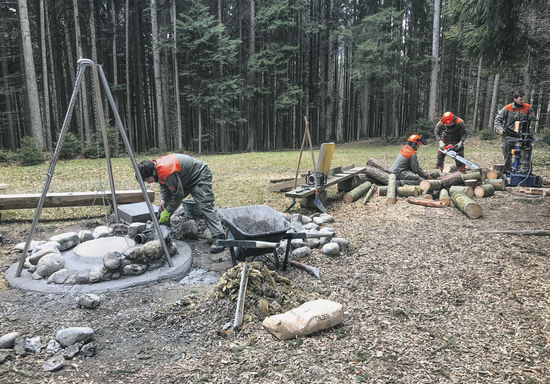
x,y
223,76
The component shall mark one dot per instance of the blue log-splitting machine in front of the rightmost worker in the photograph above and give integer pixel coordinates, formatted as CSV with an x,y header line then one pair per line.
x,y
521,175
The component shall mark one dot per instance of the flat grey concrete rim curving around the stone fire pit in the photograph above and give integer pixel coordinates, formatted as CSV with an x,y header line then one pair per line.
x,y
182,260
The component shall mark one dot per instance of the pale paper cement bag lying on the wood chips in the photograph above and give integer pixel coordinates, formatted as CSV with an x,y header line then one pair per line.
x,y
309,317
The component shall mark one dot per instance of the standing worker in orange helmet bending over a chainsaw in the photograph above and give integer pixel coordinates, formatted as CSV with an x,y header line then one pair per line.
x,y
451,130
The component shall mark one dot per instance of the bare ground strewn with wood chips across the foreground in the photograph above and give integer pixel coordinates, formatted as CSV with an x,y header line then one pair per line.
x,y
428,297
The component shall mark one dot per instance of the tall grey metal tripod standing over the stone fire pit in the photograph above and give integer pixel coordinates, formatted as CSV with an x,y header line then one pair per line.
x,y
96,69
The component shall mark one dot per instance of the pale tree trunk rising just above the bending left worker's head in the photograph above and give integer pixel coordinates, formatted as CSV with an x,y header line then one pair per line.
x,y
161,132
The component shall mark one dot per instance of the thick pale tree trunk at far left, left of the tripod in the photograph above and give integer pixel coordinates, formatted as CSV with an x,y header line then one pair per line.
x,y
30,75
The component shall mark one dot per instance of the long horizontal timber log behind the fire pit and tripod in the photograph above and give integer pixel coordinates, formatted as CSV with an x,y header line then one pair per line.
x,y
71,199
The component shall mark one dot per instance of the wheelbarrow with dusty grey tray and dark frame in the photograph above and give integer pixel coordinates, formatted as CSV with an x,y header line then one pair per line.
x,y
257,230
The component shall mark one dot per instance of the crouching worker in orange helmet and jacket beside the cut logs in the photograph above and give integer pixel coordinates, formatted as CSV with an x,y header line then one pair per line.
x,y
405,166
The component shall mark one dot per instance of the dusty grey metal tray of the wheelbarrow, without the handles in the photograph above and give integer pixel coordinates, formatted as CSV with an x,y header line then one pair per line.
x,y
254,222
